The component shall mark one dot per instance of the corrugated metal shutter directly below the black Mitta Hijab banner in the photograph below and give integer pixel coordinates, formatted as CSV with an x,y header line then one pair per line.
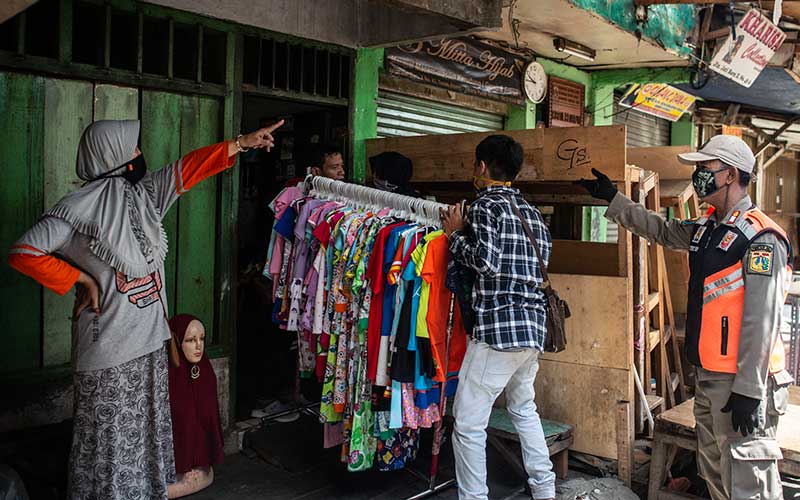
x,y
401,115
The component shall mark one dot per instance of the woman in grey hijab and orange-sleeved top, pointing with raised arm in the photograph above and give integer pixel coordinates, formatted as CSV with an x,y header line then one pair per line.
x,y
106,239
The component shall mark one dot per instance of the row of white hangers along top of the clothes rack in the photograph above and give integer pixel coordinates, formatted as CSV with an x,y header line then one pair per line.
x,y
419,210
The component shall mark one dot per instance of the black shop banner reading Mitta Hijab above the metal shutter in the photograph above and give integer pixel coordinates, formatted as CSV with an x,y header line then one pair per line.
x,y
462,64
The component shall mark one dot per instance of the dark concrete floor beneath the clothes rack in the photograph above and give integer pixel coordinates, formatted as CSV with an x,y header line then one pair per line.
x,y
286,461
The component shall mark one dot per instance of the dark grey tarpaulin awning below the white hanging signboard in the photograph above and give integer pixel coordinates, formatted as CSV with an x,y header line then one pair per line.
x,y
774,91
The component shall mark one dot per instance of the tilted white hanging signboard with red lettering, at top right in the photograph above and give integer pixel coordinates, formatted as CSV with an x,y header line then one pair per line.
x,y
743,59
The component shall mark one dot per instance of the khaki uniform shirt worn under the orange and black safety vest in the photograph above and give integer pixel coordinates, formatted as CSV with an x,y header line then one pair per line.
x,y
764,295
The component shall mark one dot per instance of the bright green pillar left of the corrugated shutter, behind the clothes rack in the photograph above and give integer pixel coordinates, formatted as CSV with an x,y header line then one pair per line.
x,y
364,107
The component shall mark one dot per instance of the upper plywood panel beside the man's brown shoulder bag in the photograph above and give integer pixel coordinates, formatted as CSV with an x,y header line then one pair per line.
x,y
599,330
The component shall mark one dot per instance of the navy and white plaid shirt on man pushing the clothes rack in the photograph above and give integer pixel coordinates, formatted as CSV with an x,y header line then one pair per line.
x,y
509,306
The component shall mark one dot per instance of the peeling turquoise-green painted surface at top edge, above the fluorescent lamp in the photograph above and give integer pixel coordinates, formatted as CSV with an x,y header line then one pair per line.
x,y
667,25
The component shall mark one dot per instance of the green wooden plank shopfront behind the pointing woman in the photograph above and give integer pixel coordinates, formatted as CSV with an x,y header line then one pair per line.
x,y
41,121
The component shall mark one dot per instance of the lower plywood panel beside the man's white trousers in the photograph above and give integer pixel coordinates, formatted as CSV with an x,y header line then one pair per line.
x,y
586,397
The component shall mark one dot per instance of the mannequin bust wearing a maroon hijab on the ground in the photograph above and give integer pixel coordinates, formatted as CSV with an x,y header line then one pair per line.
x,y
197,434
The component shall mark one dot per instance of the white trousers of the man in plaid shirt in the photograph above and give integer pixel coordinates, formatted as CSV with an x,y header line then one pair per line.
x,y
484,375
